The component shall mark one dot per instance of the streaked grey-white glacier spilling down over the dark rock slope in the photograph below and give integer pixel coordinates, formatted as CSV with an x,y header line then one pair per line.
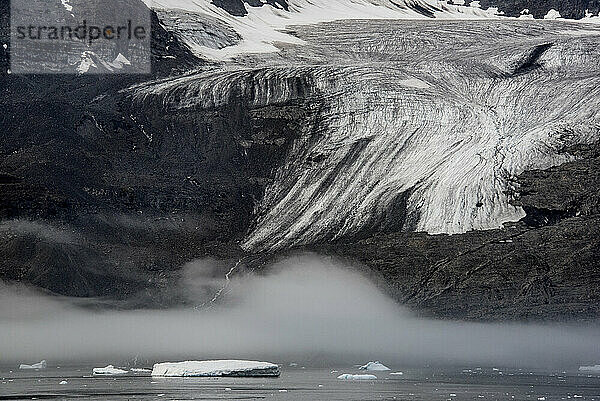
x,y
436,158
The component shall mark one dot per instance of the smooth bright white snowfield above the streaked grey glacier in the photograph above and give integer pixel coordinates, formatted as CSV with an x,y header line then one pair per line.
x,y
263,28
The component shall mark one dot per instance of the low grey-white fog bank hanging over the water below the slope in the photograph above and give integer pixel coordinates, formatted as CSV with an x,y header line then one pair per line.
x,y
307,309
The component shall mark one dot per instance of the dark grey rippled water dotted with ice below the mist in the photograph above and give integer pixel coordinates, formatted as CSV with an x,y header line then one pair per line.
x,y
297,383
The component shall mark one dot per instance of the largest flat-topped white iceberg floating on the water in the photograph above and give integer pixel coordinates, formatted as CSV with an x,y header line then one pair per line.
x,y
216,368
